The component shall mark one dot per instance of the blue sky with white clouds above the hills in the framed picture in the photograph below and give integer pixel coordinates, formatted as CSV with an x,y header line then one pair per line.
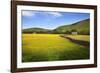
x,y
50,20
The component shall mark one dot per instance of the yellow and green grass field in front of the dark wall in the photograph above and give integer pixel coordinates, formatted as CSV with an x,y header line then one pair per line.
x,y
51,47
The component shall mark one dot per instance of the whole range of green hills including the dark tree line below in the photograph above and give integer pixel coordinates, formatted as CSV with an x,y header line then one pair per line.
x,y
82,27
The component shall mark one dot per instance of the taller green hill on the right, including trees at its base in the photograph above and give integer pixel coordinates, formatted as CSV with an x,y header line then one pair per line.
x,y
82,27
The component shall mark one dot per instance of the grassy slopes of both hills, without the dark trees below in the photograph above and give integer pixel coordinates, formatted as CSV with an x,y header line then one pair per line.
x,y
81,26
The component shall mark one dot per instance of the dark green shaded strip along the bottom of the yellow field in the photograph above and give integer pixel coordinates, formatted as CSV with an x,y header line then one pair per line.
x,y
77,54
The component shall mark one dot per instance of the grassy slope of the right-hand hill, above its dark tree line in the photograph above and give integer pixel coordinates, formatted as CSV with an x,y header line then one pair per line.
x,y
79,26
